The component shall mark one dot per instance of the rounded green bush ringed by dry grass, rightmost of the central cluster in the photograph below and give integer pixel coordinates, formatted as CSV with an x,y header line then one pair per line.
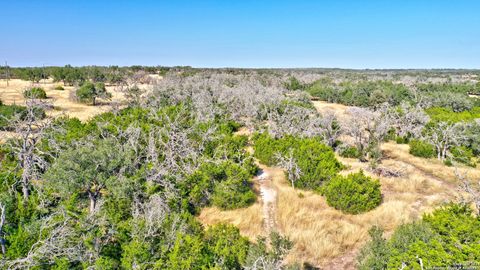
x,y
353,194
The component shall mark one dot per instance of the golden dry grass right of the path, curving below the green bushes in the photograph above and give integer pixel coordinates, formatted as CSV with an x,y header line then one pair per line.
x,y
322,233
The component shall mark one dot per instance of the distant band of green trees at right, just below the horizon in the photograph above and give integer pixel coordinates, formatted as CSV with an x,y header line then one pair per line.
x,y
368,93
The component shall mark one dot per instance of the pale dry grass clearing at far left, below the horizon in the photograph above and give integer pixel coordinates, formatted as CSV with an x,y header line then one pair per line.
x,y
13,94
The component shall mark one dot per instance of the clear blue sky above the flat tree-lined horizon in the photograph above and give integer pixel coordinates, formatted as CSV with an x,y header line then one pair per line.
x,y
243,33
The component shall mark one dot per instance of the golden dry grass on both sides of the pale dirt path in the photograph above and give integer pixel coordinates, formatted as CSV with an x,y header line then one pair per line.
x,y
330,239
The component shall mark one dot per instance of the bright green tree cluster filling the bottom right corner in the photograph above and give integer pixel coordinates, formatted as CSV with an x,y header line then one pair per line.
x,y
449,238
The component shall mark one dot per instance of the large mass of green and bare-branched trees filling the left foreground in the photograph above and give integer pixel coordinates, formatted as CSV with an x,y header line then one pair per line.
x,y
122,190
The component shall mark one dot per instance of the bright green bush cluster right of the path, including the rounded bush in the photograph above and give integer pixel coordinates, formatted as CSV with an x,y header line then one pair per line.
x,y
314,167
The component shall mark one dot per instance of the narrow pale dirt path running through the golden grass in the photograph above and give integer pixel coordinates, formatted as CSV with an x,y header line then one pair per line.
x,y
269,199
